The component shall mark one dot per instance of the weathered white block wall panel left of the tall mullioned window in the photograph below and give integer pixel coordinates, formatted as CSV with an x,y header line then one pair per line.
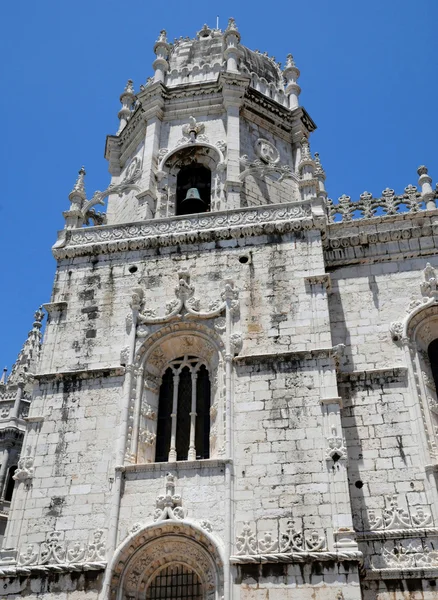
x,y
73,450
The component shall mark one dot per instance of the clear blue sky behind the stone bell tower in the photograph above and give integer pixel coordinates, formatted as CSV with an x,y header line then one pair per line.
x,y
368,78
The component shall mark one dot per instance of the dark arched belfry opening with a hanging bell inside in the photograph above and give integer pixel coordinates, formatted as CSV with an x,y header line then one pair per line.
x,y
193,190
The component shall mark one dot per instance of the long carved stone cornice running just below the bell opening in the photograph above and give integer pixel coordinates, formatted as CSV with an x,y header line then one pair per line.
x,y
279,218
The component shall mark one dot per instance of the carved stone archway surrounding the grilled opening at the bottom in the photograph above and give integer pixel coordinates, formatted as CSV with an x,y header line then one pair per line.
x,y
146,552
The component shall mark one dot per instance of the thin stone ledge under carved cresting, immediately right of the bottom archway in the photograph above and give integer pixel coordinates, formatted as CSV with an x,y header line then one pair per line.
x,y
298,557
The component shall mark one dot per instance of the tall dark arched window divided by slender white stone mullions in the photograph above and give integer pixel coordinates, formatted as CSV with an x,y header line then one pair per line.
x,y
183,427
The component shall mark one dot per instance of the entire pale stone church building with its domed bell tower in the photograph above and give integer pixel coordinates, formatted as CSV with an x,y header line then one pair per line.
x,y
314,320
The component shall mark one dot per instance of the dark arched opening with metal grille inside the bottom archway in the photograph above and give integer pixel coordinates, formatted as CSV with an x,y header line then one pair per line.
x,y
175,582
